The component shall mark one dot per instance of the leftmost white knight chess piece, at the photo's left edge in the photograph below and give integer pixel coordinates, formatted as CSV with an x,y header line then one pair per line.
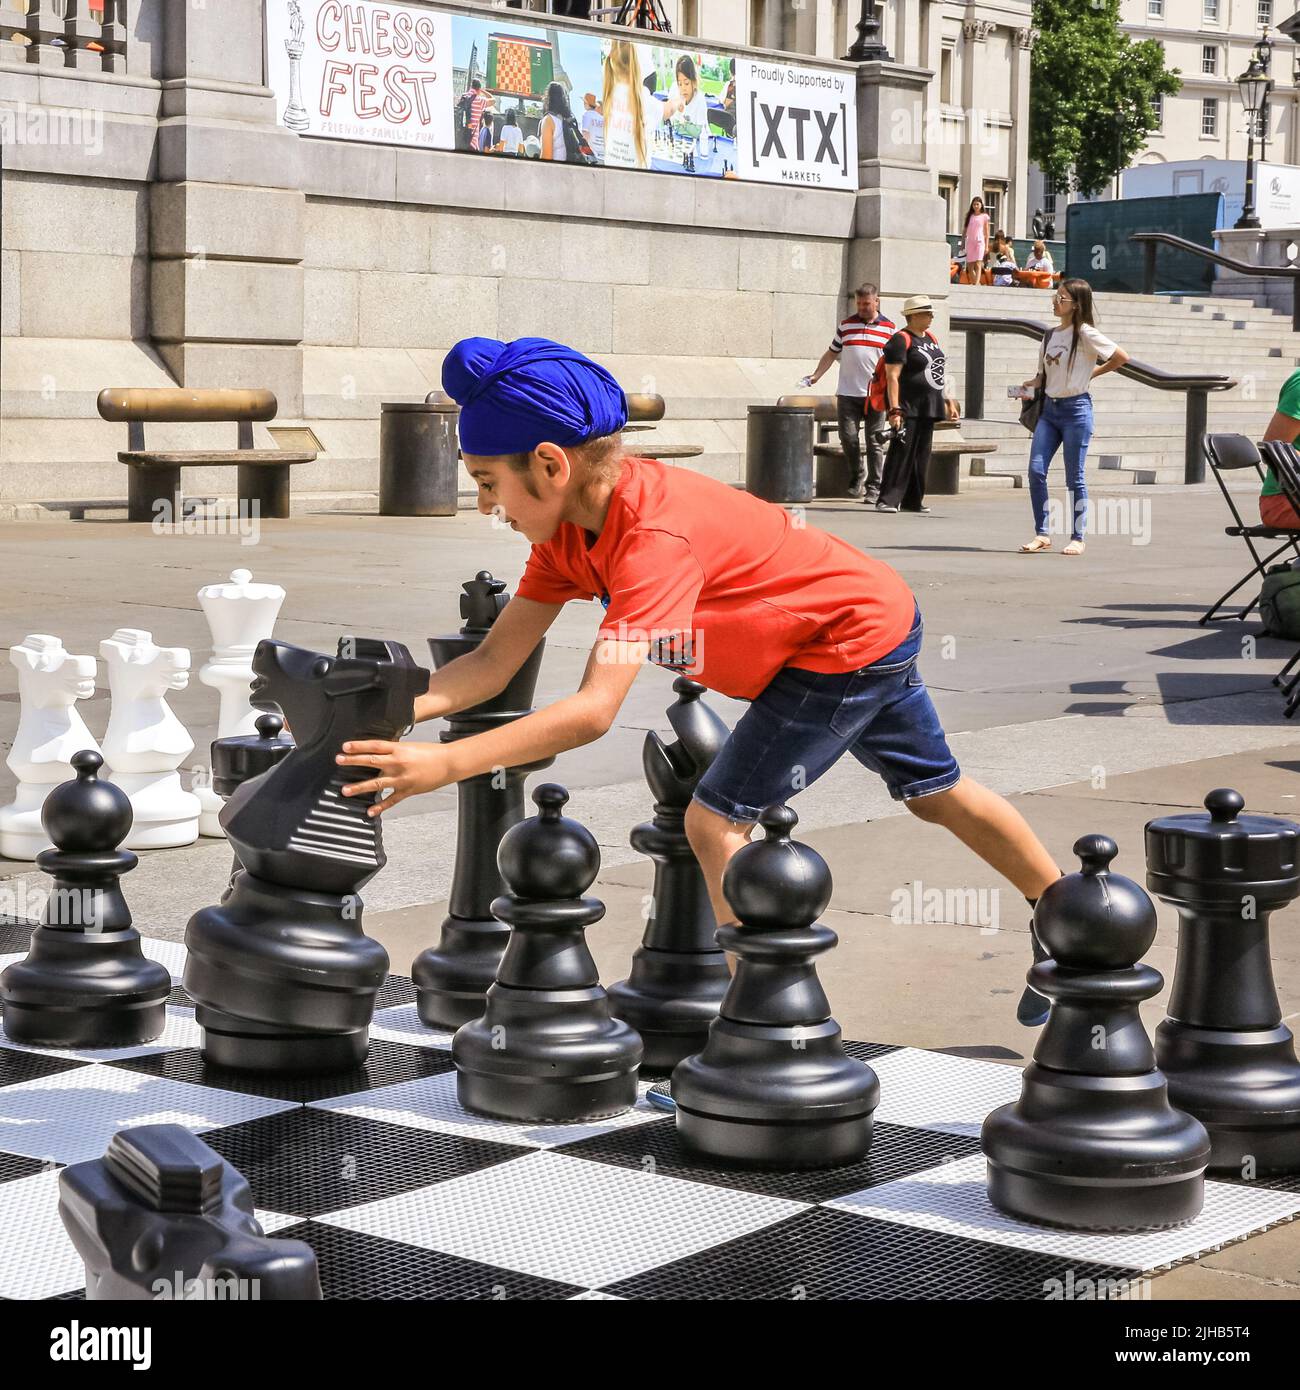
x,y
51,730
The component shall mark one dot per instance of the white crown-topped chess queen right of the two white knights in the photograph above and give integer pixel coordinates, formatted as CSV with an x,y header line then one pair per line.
x,y
240,615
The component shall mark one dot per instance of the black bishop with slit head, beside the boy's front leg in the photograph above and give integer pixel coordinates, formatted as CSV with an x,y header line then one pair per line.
x,y
679,974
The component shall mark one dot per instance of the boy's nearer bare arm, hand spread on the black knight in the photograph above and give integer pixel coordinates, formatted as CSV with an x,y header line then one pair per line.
x,y
408,769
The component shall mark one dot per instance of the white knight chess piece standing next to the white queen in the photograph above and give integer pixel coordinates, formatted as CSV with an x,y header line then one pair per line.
x,y
145,743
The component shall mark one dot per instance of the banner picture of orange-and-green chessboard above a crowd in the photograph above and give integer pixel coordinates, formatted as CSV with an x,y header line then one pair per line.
x,y
525,91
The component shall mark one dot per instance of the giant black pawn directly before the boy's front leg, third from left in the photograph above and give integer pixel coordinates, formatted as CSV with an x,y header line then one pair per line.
x,y
772,1088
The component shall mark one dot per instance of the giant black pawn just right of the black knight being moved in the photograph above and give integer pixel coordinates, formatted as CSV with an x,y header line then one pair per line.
x,y
547,1047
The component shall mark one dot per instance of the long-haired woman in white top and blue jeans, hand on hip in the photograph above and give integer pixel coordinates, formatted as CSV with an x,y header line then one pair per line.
x,y
1071,357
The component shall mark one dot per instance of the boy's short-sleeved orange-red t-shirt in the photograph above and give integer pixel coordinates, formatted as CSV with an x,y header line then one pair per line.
x,y
726,589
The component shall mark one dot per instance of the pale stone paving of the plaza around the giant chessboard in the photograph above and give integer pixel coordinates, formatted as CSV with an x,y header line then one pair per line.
x,y
1082,689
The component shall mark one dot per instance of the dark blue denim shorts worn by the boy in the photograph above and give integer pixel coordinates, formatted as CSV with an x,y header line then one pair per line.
x,y
803,722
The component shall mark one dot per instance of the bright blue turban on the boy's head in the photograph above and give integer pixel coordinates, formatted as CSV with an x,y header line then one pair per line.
x,y
515,397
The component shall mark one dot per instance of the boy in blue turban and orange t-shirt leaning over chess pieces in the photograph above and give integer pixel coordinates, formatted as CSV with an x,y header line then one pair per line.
x,y
707,582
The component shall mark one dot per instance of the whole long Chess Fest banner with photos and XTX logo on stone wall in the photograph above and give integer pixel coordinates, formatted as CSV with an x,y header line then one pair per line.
x,y
403,74
